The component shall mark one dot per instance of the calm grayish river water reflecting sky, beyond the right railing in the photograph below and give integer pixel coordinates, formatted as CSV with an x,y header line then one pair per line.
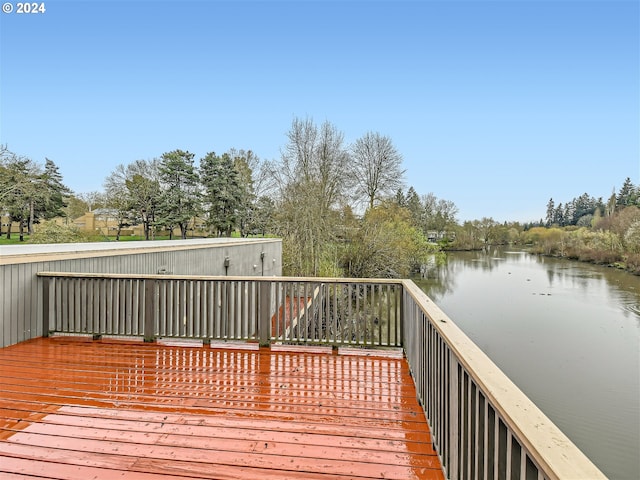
x,y
567,333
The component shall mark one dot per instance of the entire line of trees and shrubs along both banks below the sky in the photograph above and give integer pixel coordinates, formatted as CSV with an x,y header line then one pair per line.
x,y
341,210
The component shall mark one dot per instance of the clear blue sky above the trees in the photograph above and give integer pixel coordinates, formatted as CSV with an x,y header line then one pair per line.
x,y
494,105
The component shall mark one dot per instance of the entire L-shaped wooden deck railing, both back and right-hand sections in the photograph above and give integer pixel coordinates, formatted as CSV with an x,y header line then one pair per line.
x,y
483,426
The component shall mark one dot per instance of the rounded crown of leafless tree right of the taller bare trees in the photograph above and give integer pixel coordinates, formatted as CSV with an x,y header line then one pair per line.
x,y
377,167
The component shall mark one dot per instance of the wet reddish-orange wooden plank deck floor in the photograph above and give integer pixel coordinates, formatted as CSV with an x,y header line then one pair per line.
x,y
83,410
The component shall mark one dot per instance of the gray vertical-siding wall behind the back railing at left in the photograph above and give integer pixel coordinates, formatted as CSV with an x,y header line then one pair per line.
x,y
21,290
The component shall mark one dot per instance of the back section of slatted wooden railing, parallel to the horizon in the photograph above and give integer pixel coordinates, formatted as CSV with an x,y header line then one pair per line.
x,y
290,310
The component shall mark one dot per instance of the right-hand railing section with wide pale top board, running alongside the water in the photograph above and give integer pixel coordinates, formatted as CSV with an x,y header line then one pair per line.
x,y
483,426
